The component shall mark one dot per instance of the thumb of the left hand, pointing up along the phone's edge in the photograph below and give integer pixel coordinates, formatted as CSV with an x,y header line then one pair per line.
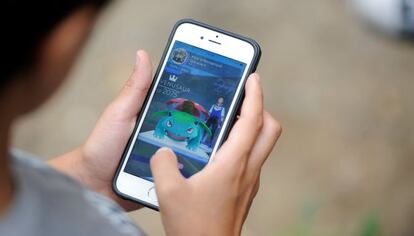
x,y
133,94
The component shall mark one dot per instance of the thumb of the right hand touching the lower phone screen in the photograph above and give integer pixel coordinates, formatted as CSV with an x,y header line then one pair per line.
x,y
164,167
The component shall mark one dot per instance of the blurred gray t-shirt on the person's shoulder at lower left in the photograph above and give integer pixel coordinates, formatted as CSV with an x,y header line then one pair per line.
x,y
49,203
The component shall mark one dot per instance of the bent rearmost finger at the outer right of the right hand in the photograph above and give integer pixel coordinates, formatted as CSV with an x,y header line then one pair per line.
x,y
265,142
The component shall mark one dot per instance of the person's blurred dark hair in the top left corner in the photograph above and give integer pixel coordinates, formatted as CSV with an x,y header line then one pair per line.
x,y
25,24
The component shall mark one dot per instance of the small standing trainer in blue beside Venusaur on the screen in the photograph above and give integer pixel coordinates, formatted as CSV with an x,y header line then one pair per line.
x,y
216,117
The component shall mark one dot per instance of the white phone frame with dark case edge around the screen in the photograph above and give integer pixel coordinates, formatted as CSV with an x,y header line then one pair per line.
x,y
189,31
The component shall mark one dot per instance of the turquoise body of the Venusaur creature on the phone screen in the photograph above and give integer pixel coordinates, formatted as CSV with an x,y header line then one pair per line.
x,y
180,126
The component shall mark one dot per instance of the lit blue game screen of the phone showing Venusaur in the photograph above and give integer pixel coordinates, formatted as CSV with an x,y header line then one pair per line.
x,y
188,109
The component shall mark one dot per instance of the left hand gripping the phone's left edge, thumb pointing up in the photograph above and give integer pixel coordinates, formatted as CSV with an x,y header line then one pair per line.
x,y
94,163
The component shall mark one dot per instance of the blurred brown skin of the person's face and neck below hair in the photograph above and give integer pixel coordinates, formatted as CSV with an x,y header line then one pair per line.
x,y
32,87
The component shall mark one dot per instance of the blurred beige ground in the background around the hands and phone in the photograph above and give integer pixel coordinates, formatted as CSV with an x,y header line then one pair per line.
x,y
343,92
